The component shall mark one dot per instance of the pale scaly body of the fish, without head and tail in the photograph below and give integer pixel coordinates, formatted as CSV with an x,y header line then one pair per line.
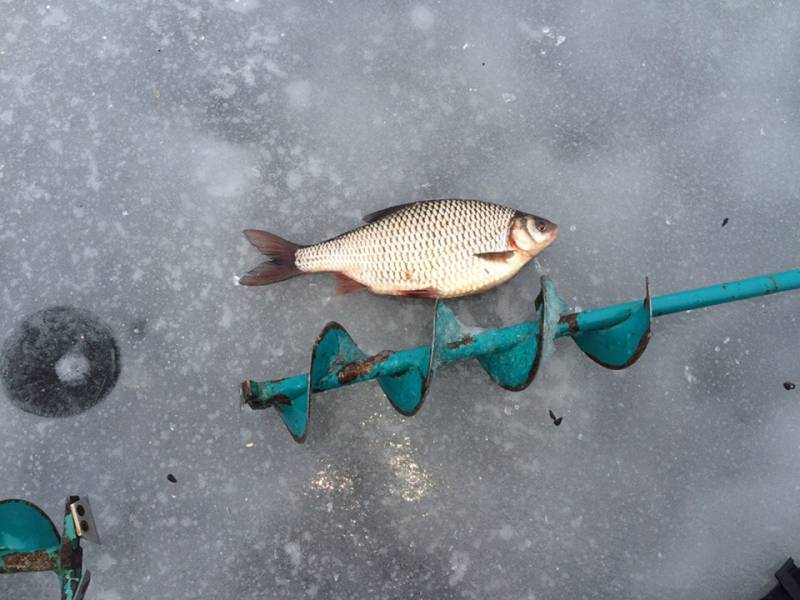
x,y
429,244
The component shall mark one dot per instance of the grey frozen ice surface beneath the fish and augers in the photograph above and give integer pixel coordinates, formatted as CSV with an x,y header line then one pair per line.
x,y
138,141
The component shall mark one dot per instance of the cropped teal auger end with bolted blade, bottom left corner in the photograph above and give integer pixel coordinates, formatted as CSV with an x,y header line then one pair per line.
x,y
30,542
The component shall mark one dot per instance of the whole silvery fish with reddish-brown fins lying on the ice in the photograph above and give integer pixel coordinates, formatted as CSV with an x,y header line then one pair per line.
x,y
443,248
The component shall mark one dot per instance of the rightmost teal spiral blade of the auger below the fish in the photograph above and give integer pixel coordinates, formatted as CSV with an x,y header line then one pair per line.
x,y
620,345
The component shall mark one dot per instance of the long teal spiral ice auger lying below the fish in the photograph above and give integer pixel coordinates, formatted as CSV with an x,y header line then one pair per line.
x,y
614,336
